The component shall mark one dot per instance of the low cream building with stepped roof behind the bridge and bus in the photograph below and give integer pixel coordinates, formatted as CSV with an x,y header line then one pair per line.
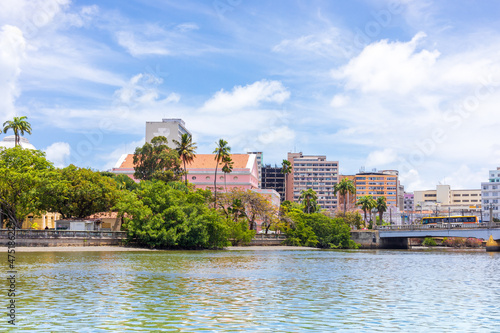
x,y
444,200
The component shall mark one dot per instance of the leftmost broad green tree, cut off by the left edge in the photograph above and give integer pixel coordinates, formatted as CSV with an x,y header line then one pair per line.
x,y
22,171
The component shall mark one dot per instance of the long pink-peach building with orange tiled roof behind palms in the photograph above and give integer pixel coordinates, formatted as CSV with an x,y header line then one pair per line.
x,y
201,172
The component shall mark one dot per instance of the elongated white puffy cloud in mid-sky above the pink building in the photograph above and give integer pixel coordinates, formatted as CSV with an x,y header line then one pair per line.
x,y
249,96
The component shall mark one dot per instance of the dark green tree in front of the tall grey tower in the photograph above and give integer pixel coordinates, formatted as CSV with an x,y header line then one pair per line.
x,y
156,160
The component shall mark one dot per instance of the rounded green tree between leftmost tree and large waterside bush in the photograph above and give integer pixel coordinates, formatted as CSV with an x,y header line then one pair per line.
x,y
78,193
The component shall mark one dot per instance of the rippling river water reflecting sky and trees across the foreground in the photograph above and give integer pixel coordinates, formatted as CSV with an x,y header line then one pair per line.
x,y
258,291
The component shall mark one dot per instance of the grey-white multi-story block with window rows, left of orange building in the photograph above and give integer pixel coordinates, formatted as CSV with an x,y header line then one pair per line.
x,y
315,172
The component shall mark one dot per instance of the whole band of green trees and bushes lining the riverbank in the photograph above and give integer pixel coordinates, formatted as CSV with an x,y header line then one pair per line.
x,y
162,210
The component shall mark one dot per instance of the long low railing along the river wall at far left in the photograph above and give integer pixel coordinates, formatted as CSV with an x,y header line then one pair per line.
x,y
27,233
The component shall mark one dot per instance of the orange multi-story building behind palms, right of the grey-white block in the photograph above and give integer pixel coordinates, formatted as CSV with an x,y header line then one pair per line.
x,y
378,184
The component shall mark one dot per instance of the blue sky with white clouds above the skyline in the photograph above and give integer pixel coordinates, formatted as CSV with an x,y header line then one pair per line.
x,y
407,85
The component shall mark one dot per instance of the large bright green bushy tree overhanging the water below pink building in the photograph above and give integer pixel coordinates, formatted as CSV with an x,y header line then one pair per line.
x,y
161,215
